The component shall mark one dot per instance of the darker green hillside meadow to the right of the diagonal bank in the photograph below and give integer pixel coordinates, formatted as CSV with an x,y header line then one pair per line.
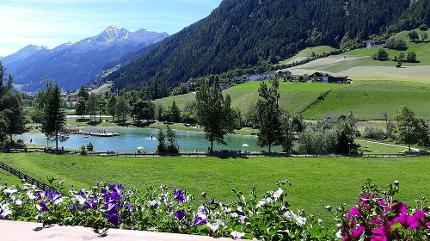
x,y
368,100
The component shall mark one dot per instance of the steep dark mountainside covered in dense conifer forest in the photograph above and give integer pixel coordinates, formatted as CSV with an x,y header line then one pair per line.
x,y
244,33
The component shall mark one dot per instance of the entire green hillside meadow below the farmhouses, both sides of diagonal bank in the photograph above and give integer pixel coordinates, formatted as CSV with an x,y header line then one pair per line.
x,y
368,100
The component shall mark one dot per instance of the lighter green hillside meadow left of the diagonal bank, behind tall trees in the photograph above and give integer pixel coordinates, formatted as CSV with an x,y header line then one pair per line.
x,y
295,97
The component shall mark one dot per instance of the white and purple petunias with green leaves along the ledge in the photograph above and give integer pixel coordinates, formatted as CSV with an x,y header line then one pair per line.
x,y
164,210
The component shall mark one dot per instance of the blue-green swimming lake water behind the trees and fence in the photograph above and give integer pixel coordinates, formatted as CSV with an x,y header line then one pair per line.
x,y
131,138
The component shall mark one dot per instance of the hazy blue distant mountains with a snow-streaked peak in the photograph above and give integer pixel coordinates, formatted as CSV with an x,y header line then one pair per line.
x,y
71,65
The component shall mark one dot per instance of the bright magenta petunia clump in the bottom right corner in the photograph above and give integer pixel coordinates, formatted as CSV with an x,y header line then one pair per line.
x,y
377,215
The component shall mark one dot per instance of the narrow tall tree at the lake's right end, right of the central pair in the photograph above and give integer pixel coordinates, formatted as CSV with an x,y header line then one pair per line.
x,y
269,113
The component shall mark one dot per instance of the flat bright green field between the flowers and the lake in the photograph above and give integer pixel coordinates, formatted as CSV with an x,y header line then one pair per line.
x,y
317,182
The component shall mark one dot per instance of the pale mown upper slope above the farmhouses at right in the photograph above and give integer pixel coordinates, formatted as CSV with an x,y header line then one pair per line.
x,y
359,65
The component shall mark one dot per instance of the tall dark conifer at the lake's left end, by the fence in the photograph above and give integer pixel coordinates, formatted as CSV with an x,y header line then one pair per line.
x,y
53,119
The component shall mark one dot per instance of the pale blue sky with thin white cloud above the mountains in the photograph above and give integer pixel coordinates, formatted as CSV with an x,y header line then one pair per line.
x,y
53,22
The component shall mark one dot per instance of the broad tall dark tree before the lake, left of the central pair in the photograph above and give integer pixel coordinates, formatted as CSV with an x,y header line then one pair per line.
x,y
214,112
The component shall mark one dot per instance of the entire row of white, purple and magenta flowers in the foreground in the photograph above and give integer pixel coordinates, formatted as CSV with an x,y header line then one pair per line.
x,y
376,216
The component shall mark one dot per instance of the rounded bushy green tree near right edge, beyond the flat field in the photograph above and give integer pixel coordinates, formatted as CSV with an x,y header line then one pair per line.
x,y
406,126
